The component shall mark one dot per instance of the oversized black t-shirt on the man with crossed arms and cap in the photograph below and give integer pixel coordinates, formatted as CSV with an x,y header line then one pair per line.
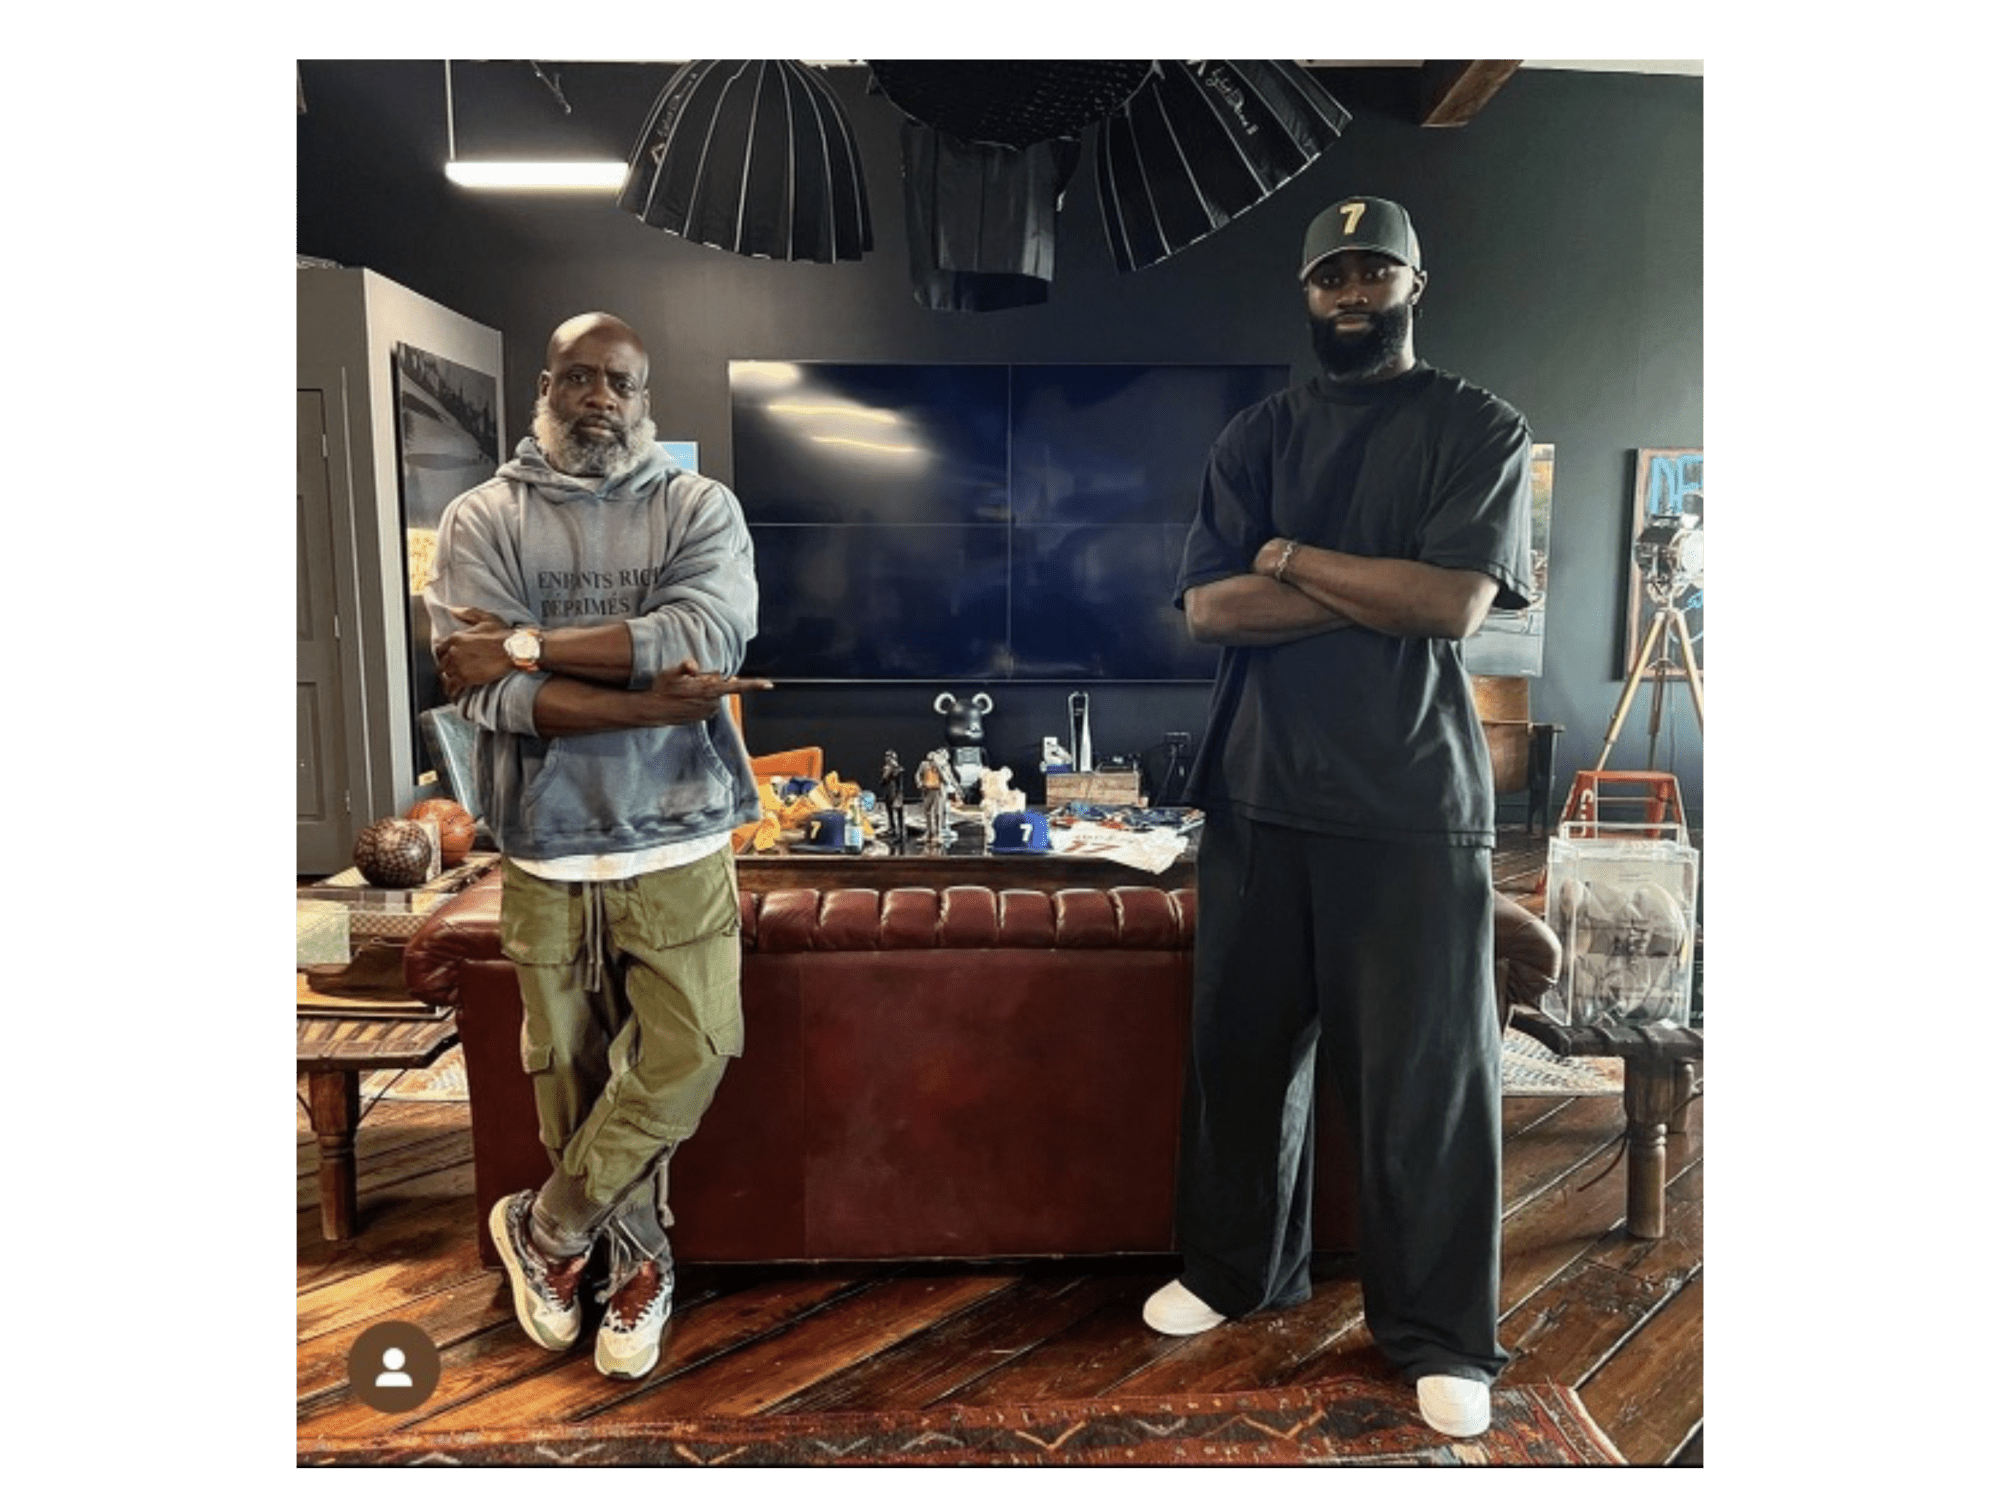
x,y
1357,733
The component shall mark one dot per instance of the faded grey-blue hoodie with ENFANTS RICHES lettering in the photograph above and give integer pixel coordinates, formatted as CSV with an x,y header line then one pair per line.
x,y
663,551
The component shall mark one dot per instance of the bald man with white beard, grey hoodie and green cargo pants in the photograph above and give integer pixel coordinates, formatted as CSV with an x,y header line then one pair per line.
x,y
591,609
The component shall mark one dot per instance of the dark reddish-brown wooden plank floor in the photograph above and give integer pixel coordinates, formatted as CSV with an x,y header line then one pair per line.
x,y
1617,1319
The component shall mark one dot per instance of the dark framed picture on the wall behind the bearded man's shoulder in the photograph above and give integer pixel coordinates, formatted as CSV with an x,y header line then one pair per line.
x,y
449,441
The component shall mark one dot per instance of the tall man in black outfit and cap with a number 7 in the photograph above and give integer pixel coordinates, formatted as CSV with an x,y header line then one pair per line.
x,y
1353,531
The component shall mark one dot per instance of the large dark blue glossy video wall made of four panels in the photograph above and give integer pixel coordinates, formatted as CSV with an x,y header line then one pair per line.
x,y
977,521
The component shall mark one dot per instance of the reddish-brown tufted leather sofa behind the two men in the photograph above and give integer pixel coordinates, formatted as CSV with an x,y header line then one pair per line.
x,y
927,1075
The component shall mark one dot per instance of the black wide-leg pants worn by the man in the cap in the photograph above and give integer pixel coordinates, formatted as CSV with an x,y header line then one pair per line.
x,y
1383,957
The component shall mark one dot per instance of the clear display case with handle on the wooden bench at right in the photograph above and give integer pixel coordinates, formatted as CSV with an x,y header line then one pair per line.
x,y
1621,899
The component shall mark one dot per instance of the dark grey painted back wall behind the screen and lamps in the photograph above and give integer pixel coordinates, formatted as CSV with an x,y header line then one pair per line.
x,y
1563,229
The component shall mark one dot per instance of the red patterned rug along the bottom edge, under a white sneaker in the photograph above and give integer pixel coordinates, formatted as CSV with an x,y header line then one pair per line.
x,y
1355,1421
